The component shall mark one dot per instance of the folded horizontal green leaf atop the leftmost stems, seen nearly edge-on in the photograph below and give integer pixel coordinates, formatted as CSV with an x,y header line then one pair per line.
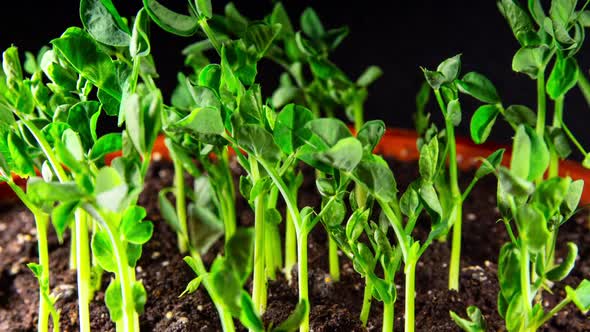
x,y
40,191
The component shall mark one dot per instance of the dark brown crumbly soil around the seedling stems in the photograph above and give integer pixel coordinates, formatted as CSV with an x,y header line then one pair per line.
x,y
335,305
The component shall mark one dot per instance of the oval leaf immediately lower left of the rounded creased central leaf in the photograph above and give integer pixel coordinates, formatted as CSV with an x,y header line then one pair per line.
x,y
255,139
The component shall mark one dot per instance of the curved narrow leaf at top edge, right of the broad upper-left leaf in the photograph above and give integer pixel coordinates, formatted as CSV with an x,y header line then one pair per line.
x,y
179,24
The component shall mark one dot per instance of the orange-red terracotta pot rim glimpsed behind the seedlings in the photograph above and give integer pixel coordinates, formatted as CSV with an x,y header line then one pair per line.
x,y
400,144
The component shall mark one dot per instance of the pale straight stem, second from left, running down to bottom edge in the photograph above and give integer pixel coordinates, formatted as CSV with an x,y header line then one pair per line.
x,y
83,270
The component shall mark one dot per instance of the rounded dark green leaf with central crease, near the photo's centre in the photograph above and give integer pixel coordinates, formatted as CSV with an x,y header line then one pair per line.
x,y
291,131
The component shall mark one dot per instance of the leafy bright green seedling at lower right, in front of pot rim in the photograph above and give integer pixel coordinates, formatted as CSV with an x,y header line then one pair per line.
x,y
532,211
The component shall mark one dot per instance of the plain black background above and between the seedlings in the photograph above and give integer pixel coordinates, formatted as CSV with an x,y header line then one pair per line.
x,y
398,36
